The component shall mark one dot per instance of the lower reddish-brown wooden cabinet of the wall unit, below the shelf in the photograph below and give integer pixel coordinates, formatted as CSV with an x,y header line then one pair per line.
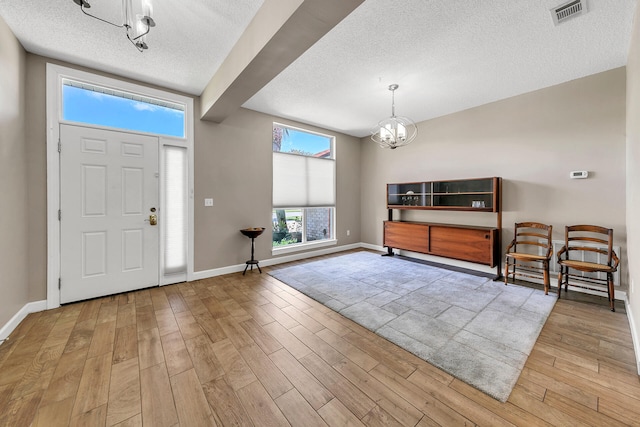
x,y
462,242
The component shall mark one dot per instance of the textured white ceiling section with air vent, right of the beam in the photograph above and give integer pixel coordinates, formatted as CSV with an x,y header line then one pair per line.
x,y
446,55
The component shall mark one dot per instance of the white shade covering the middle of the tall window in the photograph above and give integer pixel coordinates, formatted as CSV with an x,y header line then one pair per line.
x,y
302,181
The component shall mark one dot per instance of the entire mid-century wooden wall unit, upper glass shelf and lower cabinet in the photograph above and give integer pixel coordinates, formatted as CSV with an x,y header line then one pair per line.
x,y
457,241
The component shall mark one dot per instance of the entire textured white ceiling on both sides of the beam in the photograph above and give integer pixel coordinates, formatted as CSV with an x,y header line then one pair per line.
x,y
446,55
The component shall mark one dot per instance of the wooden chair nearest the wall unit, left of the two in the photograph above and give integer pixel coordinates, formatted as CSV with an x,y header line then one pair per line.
x,y
529,252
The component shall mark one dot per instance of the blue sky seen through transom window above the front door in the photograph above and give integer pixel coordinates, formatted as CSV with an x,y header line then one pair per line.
x,y
87,106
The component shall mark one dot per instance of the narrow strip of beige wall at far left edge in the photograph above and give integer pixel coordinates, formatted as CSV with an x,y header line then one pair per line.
x,y
14,259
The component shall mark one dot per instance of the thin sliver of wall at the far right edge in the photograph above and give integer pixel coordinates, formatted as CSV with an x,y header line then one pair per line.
x,y
633,178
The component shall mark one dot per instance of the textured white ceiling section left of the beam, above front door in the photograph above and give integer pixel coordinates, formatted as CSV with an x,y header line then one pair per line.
x,y
188,44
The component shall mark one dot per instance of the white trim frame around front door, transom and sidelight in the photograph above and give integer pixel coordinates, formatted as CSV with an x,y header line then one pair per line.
x,y
54,76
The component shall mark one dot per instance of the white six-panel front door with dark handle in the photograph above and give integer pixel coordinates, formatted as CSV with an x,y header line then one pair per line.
x,y
108,195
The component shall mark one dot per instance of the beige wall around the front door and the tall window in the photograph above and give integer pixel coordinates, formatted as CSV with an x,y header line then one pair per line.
x,y
232,166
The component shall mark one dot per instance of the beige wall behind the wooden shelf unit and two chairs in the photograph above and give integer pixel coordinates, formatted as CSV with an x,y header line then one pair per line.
x,y
532,141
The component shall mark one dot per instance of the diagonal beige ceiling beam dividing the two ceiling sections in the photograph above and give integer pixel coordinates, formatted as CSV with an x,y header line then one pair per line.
x,y
281,31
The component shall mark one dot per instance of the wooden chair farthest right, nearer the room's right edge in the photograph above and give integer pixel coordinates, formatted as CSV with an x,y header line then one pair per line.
x,y
588,249
